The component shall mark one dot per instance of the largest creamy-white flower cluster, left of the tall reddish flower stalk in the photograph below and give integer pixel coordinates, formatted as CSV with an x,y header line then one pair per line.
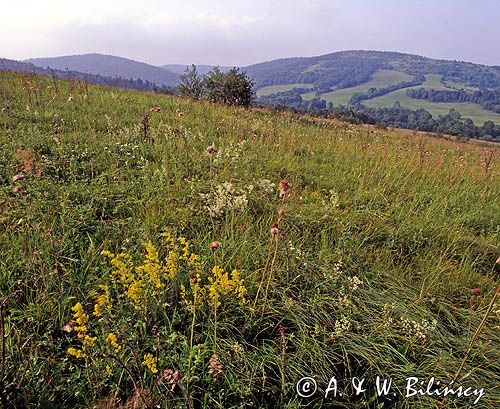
x,y
223,199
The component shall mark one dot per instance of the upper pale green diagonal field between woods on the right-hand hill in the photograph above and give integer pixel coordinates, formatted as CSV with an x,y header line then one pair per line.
x,y
381,79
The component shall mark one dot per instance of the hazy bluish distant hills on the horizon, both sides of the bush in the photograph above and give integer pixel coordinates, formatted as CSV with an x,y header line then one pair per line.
x,y
367,79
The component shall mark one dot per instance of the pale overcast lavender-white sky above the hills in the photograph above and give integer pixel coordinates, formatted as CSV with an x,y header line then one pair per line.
x,y
231,32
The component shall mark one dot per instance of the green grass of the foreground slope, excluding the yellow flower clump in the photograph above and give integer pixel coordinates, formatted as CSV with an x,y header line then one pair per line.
x,y
416,221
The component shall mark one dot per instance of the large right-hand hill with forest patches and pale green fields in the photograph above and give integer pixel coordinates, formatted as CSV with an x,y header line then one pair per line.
x,y
389,88
